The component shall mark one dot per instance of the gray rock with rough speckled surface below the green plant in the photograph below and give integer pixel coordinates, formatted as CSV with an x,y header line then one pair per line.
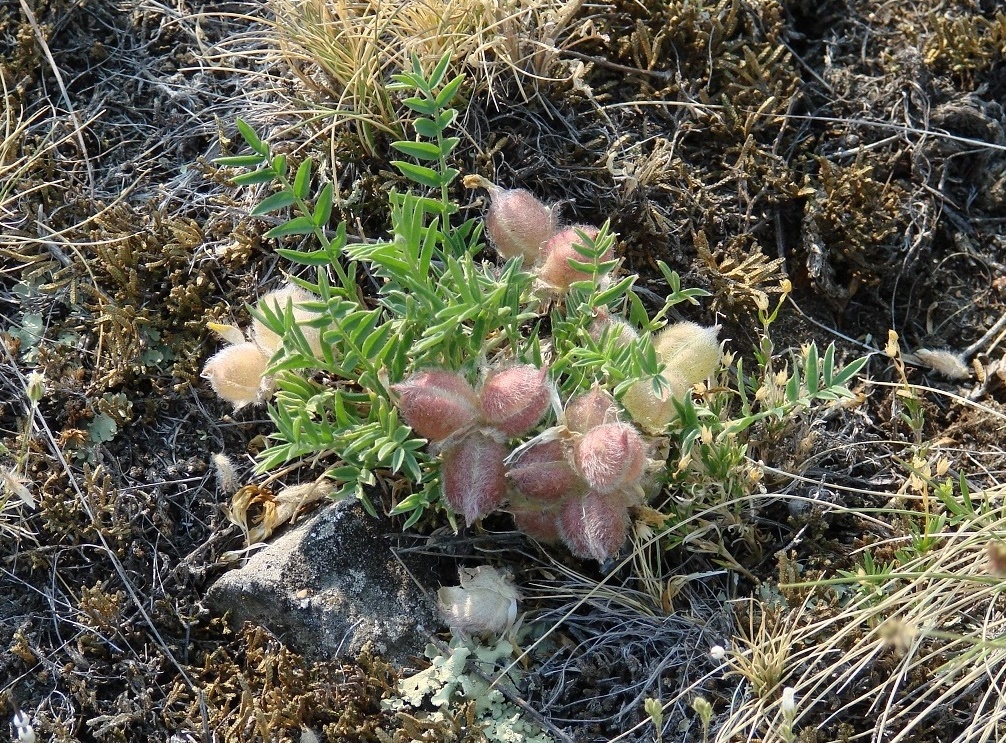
x,y
331,585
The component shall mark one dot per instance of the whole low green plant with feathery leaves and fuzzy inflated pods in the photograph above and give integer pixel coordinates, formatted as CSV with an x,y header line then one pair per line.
x,y
547,368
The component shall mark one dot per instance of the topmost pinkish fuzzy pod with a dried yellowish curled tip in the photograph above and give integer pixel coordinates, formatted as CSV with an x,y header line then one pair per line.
x,y
519,225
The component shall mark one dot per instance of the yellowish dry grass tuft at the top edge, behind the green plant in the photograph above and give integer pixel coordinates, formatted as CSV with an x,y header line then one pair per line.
x,y
344,52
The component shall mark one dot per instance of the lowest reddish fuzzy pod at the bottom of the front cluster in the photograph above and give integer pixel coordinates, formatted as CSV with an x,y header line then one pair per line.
x,y
594,526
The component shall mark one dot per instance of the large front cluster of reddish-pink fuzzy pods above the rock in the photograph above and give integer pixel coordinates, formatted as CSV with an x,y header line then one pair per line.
x,y
574,486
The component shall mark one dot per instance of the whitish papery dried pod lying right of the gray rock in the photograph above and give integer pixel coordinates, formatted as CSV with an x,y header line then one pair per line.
x,y
485,603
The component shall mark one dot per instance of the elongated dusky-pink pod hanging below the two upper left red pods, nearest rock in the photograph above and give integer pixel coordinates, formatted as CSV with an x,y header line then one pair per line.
x,y
474,478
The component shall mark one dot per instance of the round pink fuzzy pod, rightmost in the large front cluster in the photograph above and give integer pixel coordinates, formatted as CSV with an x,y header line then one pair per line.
x,y
611,457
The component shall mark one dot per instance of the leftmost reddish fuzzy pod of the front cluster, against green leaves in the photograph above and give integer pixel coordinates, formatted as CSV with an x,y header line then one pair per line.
x,y
437,404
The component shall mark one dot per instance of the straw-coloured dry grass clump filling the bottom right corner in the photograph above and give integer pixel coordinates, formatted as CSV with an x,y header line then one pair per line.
x,y
914,641
